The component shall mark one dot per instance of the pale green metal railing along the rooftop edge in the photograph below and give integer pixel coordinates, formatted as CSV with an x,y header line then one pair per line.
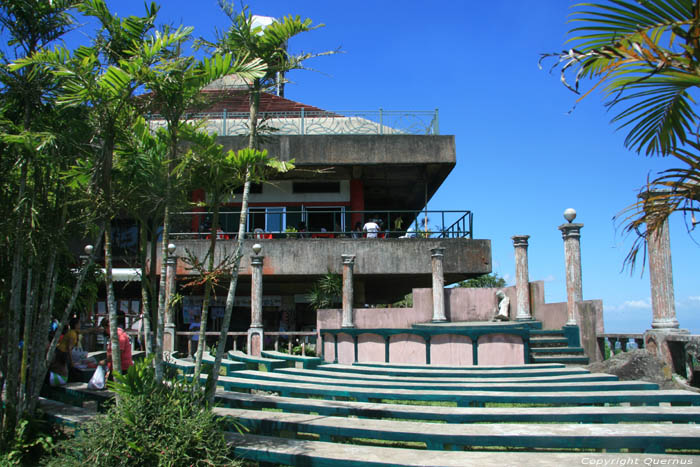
x,y
307,122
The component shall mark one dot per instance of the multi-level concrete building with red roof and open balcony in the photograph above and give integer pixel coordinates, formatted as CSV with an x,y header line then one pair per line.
x,y
349,168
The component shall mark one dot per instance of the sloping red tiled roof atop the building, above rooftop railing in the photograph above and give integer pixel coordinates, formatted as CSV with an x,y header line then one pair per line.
x,y
237,101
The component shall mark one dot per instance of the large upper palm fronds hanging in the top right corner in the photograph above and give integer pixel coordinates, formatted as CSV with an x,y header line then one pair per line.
x,y
645,57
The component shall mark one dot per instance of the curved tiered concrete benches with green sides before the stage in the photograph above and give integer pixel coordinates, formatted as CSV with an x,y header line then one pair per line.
x,y
582,412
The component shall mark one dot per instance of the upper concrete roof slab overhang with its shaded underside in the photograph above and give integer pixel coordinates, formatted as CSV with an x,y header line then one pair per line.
x,y
397,171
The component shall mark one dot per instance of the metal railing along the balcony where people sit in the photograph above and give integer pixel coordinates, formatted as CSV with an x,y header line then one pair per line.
x,y
325,223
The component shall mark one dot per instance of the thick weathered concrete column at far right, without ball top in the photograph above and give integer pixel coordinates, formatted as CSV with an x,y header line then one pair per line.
x,y
661,277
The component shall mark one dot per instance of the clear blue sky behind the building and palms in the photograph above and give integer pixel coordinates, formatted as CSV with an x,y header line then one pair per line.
x,y
522,156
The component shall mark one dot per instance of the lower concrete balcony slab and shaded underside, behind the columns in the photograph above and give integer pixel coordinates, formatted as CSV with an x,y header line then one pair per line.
x,y
386,269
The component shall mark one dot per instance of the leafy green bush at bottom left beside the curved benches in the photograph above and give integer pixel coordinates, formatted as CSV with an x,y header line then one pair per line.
x,y
153,424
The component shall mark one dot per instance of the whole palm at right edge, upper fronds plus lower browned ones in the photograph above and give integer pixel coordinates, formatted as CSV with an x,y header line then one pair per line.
x,y
645,55
